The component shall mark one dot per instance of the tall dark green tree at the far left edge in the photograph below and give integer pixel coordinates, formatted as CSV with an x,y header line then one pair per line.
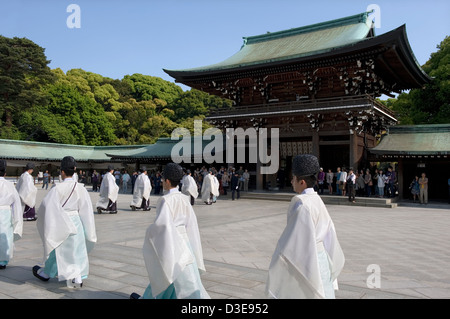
x,y
23,71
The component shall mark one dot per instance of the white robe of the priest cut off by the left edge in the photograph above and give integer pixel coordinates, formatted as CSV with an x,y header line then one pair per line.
x,y
11,220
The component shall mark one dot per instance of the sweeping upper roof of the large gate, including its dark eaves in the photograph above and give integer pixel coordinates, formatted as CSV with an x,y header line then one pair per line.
x,y
335,40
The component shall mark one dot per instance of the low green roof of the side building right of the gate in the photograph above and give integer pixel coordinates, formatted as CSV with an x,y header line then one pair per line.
x,y
415,140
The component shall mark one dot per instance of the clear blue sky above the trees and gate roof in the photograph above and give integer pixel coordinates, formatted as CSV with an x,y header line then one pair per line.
x,y
117,38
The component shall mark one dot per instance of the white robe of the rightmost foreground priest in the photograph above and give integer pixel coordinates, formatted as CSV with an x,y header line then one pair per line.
x,y
295,271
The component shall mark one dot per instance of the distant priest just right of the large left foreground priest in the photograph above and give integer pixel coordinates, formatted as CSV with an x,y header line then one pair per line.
x,y
109,191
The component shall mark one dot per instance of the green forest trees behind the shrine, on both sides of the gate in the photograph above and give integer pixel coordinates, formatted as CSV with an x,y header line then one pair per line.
x,y
79,107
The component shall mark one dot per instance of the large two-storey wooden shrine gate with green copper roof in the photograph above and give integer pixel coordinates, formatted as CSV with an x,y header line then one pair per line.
x,y
318,84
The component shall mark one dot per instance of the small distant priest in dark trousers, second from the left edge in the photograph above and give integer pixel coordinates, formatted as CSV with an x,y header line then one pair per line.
x,y
27,192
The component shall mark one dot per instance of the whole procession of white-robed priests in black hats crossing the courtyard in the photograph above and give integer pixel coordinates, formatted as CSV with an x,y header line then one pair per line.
x,y
305,263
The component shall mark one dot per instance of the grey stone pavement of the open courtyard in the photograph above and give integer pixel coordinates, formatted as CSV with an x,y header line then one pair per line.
x,y
409,244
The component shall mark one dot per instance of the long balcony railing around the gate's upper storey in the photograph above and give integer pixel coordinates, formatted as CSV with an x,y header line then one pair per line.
x,y
274,107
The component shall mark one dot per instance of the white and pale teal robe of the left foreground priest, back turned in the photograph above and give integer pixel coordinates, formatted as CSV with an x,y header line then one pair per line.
x,y
67,228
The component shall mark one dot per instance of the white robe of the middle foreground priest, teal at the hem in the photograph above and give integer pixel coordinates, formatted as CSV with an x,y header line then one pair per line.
x,y
173,251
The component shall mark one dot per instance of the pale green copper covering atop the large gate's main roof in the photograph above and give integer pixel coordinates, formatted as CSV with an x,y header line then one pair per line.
x,y
294,43
